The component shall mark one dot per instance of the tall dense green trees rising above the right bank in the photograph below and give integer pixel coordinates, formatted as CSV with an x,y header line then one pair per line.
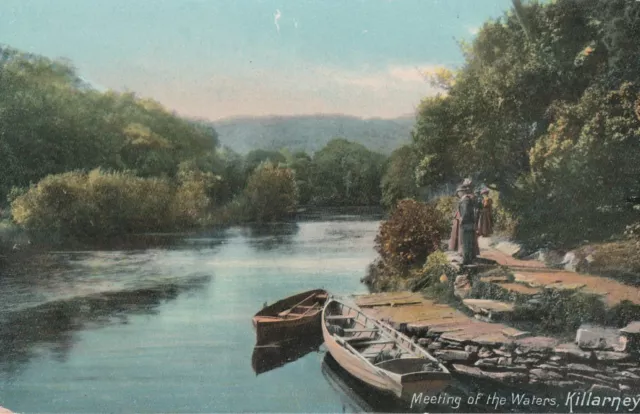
x,y
545,110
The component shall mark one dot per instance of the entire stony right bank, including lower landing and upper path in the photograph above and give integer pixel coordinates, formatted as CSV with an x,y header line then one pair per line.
x,y
520,322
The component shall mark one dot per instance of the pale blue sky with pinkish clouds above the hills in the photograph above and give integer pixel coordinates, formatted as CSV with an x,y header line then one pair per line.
x,y
215,59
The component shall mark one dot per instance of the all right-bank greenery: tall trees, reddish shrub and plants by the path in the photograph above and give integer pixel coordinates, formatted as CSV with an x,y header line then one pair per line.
x,y
545,112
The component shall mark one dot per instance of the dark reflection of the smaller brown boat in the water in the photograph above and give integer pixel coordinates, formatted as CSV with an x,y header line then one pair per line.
x,y
269,357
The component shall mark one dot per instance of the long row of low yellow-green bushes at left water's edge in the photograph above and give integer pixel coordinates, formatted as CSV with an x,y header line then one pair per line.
x,y
101,205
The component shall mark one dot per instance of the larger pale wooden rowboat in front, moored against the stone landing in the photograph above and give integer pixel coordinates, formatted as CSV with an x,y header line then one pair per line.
x,y
379,355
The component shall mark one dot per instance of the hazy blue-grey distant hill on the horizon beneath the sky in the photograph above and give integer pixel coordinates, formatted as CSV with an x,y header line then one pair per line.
x,y
311,133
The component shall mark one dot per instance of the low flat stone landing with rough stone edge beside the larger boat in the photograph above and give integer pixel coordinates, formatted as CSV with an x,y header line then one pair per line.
x,y
500,353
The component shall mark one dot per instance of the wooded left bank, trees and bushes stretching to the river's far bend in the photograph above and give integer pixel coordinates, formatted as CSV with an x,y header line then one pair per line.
x,y
89,166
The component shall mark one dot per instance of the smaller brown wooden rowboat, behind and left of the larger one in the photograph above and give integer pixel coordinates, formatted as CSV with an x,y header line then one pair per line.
x,y
290,318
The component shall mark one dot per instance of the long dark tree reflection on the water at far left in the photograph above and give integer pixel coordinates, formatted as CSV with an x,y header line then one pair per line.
x,y
52,326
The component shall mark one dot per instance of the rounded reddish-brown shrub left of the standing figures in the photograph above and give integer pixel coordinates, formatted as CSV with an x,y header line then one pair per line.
x,y
412,232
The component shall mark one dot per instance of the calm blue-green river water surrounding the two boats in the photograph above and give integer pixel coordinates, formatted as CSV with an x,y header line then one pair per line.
x,y
169,329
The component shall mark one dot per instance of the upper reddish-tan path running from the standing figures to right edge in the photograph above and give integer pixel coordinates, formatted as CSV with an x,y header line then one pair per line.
x,y
532,275
